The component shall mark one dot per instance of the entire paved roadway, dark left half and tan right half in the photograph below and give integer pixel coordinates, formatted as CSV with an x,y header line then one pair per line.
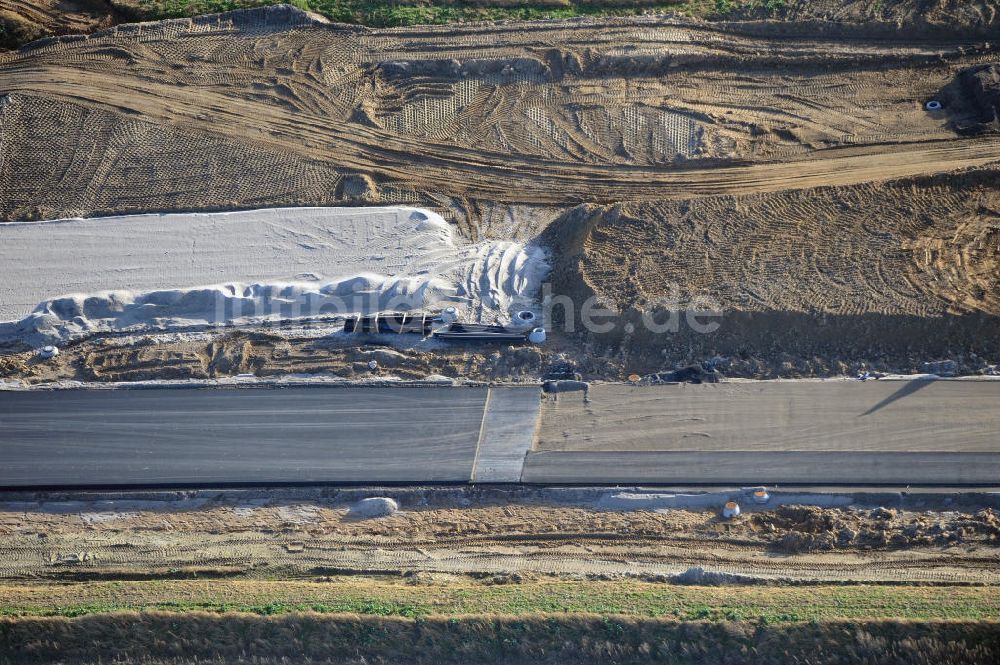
x,y
894,433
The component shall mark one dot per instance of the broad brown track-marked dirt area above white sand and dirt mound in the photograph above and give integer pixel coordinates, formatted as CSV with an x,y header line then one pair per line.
x,y
547,114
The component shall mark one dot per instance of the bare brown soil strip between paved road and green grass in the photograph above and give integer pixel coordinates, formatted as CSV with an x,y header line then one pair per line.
x,y
507,536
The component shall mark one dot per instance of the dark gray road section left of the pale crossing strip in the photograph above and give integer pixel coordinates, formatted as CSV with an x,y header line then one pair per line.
x,y
204,436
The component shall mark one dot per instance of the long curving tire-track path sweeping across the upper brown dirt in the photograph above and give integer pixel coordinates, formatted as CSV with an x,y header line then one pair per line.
x,y
459,171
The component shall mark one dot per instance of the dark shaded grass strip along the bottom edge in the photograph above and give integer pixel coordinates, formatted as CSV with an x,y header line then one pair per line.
x,y
158,637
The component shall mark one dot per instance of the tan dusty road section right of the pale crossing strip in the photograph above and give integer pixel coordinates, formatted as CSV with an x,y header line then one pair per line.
x,y
767,432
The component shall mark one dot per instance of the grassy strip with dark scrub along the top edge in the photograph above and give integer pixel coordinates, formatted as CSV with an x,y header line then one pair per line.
x,y
26,20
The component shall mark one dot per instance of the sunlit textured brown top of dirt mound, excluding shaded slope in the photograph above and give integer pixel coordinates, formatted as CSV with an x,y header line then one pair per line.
x,y
919,248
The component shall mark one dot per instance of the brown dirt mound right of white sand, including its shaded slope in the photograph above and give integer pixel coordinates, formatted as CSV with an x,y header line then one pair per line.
x,y
883,276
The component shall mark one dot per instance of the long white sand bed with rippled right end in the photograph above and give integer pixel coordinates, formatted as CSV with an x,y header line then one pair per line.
x,y
146,272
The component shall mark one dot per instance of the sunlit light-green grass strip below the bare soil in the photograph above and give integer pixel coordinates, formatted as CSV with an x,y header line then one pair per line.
x,y
395,598
